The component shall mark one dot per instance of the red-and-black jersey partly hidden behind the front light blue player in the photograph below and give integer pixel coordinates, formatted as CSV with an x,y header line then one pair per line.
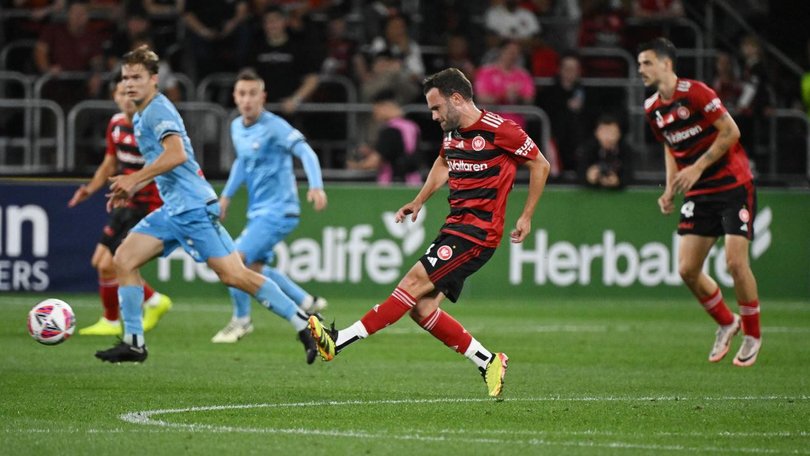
x,y
121,143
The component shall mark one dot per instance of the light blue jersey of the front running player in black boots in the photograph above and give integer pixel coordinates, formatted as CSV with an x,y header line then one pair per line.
x,y
183,188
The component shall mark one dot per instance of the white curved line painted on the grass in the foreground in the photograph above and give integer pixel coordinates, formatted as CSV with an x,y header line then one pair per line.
x,y
145,418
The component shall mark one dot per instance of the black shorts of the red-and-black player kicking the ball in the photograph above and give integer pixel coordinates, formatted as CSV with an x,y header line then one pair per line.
x,y
450,260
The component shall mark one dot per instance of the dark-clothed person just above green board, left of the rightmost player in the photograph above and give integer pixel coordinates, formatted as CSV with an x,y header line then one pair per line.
x,y
605,160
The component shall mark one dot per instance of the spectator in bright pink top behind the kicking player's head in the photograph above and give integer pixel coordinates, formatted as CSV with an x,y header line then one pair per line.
x,y
505,82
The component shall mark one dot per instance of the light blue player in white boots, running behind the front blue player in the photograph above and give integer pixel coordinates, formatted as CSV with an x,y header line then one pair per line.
x,y
265,145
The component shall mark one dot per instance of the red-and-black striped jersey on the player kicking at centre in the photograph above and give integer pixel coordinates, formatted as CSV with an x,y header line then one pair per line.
x,y
482,161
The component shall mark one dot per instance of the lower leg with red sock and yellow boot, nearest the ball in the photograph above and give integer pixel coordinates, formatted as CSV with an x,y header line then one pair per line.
x,y
108,324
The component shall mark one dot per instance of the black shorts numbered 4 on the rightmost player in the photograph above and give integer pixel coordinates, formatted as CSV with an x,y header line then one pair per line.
x,y
718,214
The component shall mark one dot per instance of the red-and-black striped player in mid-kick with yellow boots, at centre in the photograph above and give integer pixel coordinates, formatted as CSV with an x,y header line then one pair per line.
x,y
478,159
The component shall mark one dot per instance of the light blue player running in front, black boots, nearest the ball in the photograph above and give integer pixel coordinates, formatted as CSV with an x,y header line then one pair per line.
x,y
189,216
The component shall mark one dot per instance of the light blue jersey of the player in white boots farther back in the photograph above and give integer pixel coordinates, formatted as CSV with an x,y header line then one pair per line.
x,y
264,164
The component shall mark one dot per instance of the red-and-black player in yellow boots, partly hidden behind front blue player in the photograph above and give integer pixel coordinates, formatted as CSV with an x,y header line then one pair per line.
x,y
121,156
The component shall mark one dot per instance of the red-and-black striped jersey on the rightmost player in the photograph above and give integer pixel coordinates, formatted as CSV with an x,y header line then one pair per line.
x,y
685,123
